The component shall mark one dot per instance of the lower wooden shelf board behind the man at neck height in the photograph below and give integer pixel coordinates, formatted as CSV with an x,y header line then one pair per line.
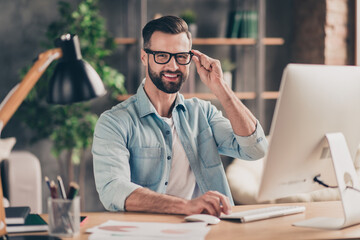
x,y
210,96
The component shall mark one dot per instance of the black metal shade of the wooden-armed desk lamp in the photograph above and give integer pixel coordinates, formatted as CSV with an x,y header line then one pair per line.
x,y
74,79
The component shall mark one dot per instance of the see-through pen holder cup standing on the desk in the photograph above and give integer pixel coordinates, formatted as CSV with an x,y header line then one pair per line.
x,y
64,217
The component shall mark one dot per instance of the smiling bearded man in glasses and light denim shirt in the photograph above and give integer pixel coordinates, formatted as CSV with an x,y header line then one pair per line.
x,y
157,152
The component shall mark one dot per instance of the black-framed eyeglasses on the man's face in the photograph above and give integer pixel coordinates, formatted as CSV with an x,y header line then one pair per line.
x,y
182,58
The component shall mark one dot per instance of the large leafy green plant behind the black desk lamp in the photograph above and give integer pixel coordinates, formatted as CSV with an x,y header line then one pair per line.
x,y
70,127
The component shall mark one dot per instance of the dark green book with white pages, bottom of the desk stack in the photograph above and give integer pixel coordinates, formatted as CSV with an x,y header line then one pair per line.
x,y
33,223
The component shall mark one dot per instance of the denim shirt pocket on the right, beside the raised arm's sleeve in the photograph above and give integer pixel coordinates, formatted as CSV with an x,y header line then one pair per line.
x,y
207,149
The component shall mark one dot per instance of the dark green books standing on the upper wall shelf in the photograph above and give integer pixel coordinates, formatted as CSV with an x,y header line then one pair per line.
x,y
243,24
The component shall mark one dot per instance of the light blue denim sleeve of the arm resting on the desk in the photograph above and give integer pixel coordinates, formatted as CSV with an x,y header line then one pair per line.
x,y
111,164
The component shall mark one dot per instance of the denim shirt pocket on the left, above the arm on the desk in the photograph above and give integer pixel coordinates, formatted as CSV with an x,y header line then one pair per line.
x,y
146,166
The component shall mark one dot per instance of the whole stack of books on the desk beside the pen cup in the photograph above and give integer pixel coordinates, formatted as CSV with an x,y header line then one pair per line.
x,y
19,219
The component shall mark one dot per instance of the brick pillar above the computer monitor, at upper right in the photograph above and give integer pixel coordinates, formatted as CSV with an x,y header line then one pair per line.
x,y
323,32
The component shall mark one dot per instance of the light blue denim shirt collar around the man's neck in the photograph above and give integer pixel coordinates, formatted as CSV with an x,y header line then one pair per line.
x,y
145,106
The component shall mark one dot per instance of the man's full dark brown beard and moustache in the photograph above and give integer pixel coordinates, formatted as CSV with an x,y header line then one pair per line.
x,y
167,87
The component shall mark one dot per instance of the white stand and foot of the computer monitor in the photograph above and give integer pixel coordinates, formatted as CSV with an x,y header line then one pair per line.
x,y
345,176
